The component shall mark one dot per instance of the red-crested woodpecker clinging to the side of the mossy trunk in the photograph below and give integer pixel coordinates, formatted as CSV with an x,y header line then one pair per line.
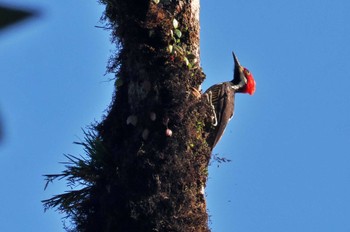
x,y
221,97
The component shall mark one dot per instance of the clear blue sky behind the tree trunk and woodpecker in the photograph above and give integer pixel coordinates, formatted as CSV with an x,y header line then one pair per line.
x,y
289,143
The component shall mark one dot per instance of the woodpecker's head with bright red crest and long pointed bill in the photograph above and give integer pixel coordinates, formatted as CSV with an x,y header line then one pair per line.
x,y
243,78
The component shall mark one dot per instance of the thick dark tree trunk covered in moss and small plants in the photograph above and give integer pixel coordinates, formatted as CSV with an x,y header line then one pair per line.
x,y
148,158
